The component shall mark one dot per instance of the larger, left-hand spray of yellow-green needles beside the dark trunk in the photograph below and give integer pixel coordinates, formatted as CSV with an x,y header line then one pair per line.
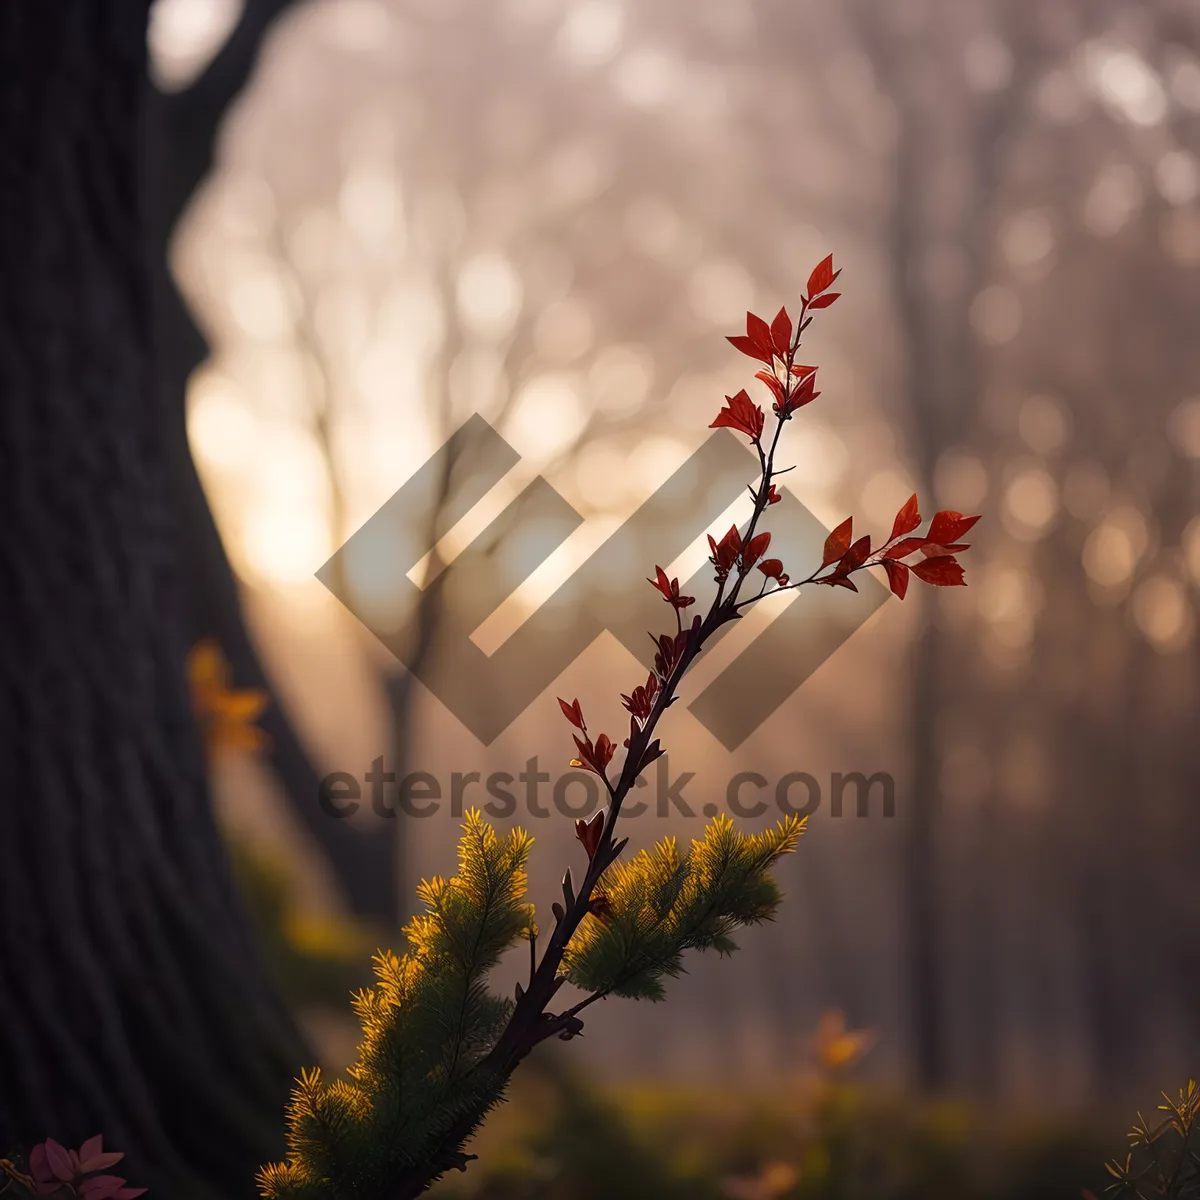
x,y
428,1023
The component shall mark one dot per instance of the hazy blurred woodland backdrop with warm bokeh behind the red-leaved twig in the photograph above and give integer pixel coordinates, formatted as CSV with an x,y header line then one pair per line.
x,y
381,217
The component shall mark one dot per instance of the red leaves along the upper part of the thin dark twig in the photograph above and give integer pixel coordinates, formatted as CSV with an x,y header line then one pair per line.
x,y
931,556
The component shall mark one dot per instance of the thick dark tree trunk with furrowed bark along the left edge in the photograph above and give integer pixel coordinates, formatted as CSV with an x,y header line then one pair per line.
x,y
133,1001
